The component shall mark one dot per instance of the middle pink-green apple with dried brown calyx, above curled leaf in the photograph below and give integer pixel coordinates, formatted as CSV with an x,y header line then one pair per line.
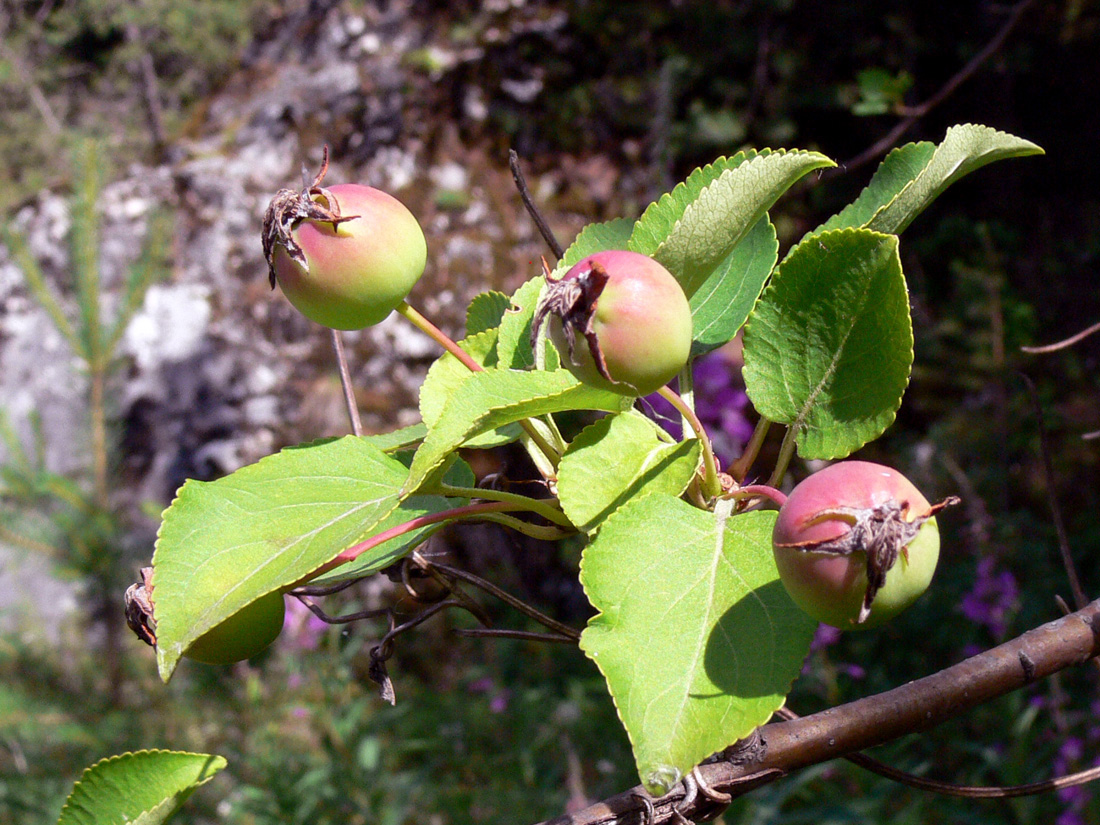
x,y
621,322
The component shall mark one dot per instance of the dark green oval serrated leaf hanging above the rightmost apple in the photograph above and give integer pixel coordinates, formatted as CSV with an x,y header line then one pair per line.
x,y
830,346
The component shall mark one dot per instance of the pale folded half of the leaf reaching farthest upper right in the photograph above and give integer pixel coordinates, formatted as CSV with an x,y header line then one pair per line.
x,y
965,149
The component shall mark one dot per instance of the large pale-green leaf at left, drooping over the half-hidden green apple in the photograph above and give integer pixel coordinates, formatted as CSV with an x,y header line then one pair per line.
x,y
226,544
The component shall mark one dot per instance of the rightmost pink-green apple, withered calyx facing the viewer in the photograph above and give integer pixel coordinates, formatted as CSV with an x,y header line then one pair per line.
x,y
856,544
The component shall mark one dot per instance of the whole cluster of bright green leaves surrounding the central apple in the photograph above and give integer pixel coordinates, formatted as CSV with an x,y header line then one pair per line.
x,y
695,635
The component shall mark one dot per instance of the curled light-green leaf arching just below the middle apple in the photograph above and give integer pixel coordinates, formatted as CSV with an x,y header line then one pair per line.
x,y
497,398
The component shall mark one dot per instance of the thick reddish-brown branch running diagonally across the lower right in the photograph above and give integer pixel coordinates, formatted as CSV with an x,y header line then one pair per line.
x,y
783,747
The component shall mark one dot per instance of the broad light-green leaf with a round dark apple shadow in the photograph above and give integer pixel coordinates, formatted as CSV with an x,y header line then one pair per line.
x,y
696,635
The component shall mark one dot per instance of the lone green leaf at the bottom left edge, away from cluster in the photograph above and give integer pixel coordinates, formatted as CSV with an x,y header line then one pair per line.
x,y
147,787
